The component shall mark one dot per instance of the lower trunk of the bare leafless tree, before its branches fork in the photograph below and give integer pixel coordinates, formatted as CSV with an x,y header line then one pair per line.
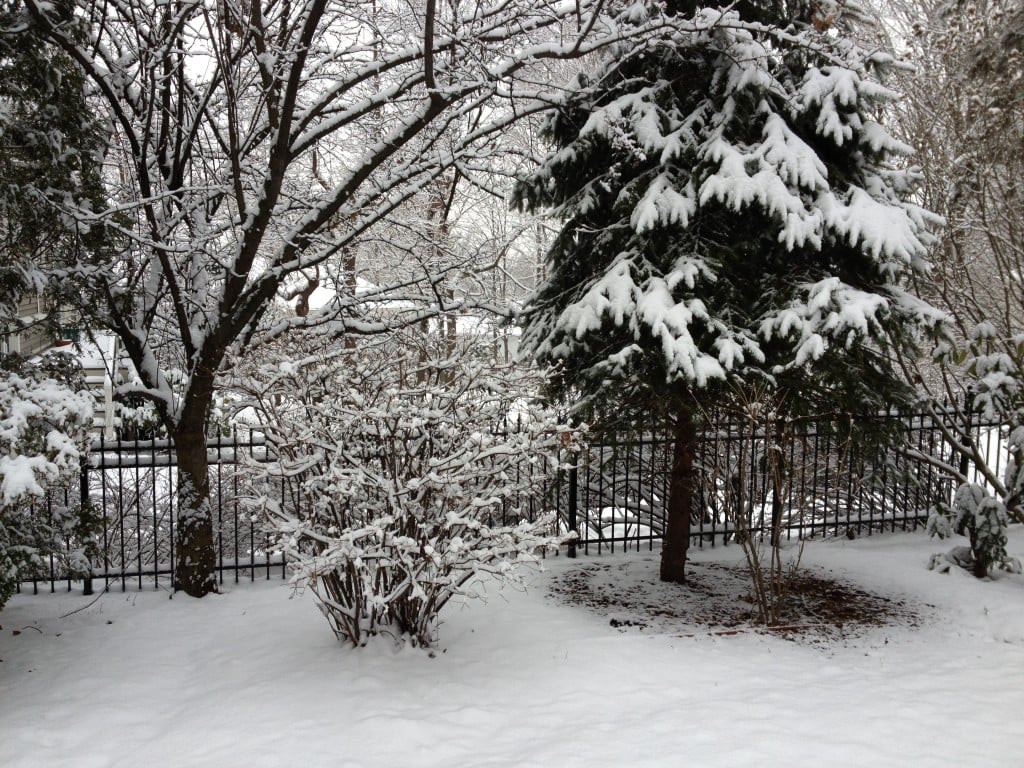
x,y
196,556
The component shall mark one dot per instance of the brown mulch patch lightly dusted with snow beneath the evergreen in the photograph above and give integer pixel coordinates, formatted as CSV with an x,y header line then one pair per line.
x,y
717,600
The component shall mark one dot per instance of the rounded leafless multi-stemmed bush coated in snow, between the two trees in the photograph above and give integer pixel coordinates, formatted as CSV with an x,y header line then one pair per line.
x,y
397,476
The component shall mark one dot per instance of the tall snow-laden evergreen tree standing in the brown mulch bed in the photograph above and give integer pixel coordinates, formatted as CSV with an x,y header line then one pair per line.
x,y
732,208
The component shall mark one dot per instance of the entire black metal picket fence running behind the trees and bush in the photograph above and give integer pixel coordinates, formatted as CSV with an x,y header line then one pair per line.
x,y
615,495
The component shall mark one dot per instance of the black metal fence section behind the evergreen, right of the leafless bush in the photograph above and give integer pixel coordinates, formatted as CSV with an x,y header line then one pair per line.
x,y
805,480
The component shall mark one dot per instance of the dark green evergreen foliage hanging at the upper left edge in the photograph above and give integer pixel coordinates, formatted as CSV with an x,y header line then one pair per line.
x,y
52,146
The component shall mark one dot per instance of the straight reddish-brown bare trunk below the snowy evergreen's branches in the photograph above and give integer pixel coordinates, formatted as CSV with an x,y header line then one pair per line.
x,y
677,526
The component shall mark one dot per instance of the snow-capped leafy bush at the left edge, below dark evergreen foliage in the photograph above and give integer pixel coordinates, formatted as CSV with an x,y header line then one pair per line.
x,y
45,419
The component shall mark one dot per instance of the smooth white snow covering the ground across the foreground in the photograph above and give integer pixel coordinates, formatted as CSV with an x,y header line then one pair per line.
x,y
252,678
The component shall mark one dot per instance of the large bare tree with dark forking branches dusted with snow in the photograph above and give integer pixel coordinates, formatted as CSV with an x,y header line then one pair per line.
x,y
223,114
